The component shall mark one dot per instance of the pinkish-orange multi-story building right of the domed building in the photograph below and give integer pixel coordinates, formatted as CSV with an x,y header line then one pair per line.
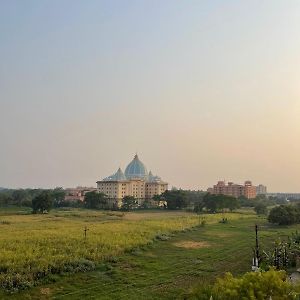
x,y
235,190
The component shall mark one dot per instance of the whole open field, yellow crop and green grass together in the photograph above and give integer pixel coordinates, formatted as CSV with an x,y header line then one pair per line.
x,y
131,263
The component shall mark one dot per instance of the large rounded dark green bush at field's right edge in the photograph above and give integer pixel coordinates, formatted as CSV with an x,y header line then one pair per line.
x,y
283,215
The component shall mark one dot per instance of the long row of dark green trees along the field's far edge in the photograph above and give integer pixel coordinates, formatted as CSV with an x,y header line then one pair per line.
x,y
198,201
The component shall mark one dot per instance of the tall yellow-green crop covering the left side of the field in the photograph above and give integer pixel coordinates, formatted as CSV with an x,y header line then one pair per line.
x,y
33,244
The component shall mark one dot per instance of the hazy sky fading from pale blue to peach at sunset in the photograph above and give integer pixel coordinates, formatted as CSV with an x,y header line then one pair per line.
x,y
201,90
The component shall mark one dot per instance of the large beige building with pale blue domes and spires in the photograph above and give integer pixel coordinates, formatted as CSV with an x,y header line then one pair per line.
x,y
136,182
